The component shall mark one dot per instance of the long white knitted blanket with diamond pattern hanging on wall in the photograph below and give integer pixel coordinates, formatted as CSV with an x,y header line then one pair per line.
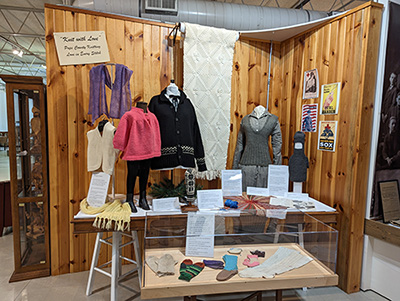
x,y
208,60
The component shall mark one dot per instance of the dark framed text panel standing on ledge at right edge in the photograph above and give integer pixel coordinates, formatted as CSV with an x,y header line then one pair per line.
x,y
389,194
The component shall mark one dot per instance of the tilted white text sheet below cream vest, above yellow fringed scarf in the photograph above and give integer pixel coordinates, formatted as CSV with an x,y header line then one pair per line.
x,y
98,189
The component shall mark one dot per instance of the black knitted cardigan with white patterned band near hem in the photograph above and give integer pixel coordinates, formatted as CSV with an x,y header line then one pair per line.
x,y
180,134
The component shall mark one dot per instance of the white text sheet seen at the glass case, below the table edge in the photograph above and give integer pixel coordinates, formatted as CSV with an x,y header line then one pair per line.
x,y
200,234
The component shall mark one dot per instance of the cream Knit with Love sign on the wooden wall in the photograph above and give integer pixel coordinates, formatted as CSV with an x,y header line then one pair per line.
x,y
81,47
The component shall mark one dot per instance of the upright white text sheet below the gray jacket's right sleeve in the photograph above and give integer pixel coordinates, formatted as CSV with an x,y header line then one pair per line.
x,y
278,180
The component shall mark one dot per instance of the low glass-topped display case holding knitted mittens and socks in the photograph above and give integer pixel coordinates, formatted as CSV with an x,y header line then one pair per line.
x,y
210,236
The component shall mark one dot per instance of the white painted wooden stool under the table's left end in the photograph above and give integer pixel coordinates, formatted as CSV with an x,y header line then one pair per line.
x,y
116,262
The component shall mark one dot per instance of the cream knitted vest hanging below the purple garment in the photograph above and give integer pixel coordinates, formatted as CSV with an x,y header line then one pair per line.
x,y
101,152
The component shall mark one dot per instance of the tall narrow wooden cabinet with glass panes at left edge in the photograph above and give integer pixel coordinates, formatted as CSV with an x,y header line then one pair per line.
x,y
28,175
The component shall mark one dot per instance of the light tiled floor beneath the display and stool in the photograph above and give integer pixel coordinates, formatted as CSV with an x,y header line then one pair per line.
x,y
72,287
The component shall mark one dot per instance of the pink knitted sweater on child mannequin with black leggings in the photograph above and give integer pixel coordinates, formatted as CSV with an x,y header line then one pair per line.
x,y
138,135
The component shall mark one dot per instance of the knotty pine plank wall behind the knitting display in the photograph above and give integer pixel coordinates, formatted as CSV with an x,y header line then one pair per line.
x,y
344,49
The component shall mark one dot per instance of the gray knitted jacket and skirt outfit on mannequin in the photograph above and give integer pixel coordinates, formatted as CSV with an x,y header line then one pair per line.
x,y
252,150
